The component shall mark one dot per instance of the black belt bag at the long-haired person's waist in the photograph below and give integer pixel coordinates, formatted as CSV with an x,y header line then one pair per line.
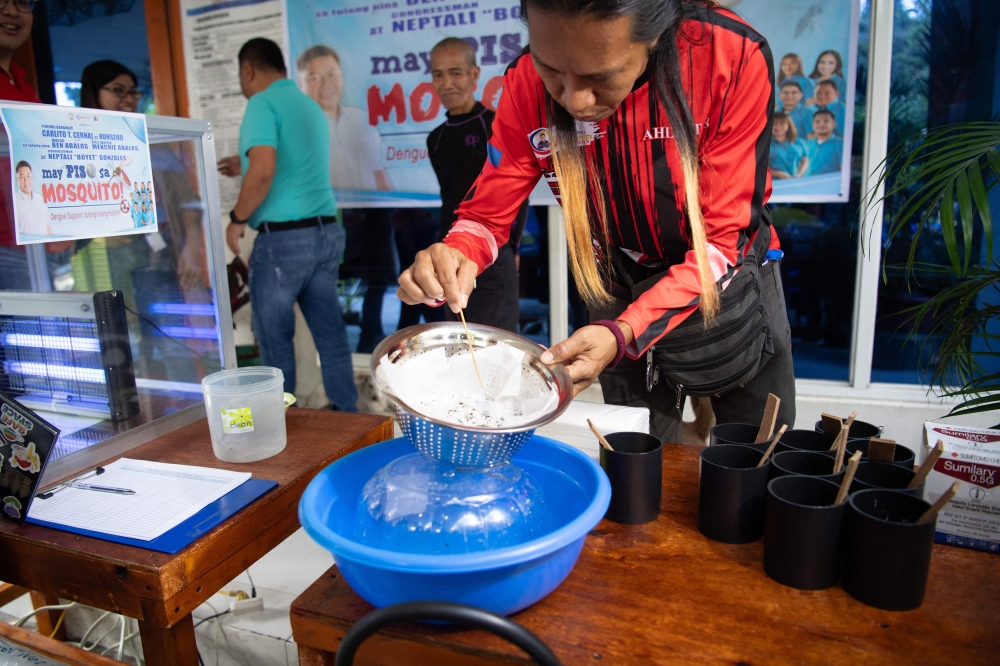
x,y
700,359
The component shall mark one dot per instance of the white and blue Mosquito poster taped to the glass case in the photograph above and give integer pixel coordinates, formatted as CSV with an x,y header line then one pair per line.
x,y
78,173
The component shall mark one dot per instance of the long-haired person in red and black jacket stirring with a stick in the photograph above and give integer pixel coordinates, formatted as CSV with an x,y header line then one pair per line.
x,y
650,120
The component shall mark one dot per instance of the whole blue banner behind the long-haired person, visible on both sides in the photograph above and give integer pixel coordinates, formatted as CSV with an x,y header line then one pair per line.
x,y
368,65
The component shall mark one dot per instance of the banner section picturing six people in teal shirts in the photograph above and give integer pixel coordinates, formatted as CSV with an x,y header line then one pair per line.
x,y
814,44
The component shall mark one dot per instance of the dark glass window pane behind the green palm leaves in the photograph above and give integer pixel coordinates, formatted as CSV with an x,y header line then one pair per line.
x,y
943,71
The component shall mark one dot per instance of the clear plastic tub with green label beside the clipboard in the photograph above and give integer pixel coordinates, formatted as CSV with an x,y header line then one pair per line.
x,y
246,413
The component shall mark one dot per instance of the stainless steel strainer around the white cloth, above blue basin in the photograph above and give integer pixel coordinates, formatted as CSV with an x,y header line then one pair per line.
x,y
469,446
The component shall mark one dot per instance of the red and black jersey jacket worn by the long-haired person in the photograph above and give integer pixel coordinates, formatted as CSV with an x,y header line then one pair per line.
x,y
727,73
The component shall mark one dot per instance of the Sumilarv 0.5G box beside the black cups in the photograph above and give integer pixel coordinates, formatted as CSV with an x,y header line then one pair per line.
x,y
972,456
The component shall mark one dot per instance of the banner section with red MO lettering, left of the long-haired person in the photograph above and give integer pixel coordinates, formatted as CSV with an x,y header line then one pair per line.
x,y
373,80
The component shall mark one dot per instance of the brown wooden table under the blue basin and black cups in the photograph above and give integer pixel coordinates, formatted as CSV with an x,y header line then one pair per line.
x,y
663,594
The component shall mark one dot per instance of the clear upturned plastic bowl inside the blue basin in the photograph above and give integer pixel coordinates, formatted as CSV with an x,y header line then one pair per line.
x,y
417,504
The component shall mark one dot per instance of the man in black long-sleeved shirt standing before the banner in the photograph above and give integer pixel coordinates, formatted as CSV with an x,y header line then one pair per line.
x,y
458,152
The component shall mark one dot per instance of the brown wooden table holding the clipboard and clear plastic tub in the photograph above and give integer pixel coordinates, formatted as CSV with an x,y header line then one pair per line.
x,y
161,590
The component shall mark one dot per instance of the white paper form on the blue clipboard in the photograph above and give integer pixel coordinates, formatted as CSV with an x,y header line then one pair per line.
x,y
165,496
